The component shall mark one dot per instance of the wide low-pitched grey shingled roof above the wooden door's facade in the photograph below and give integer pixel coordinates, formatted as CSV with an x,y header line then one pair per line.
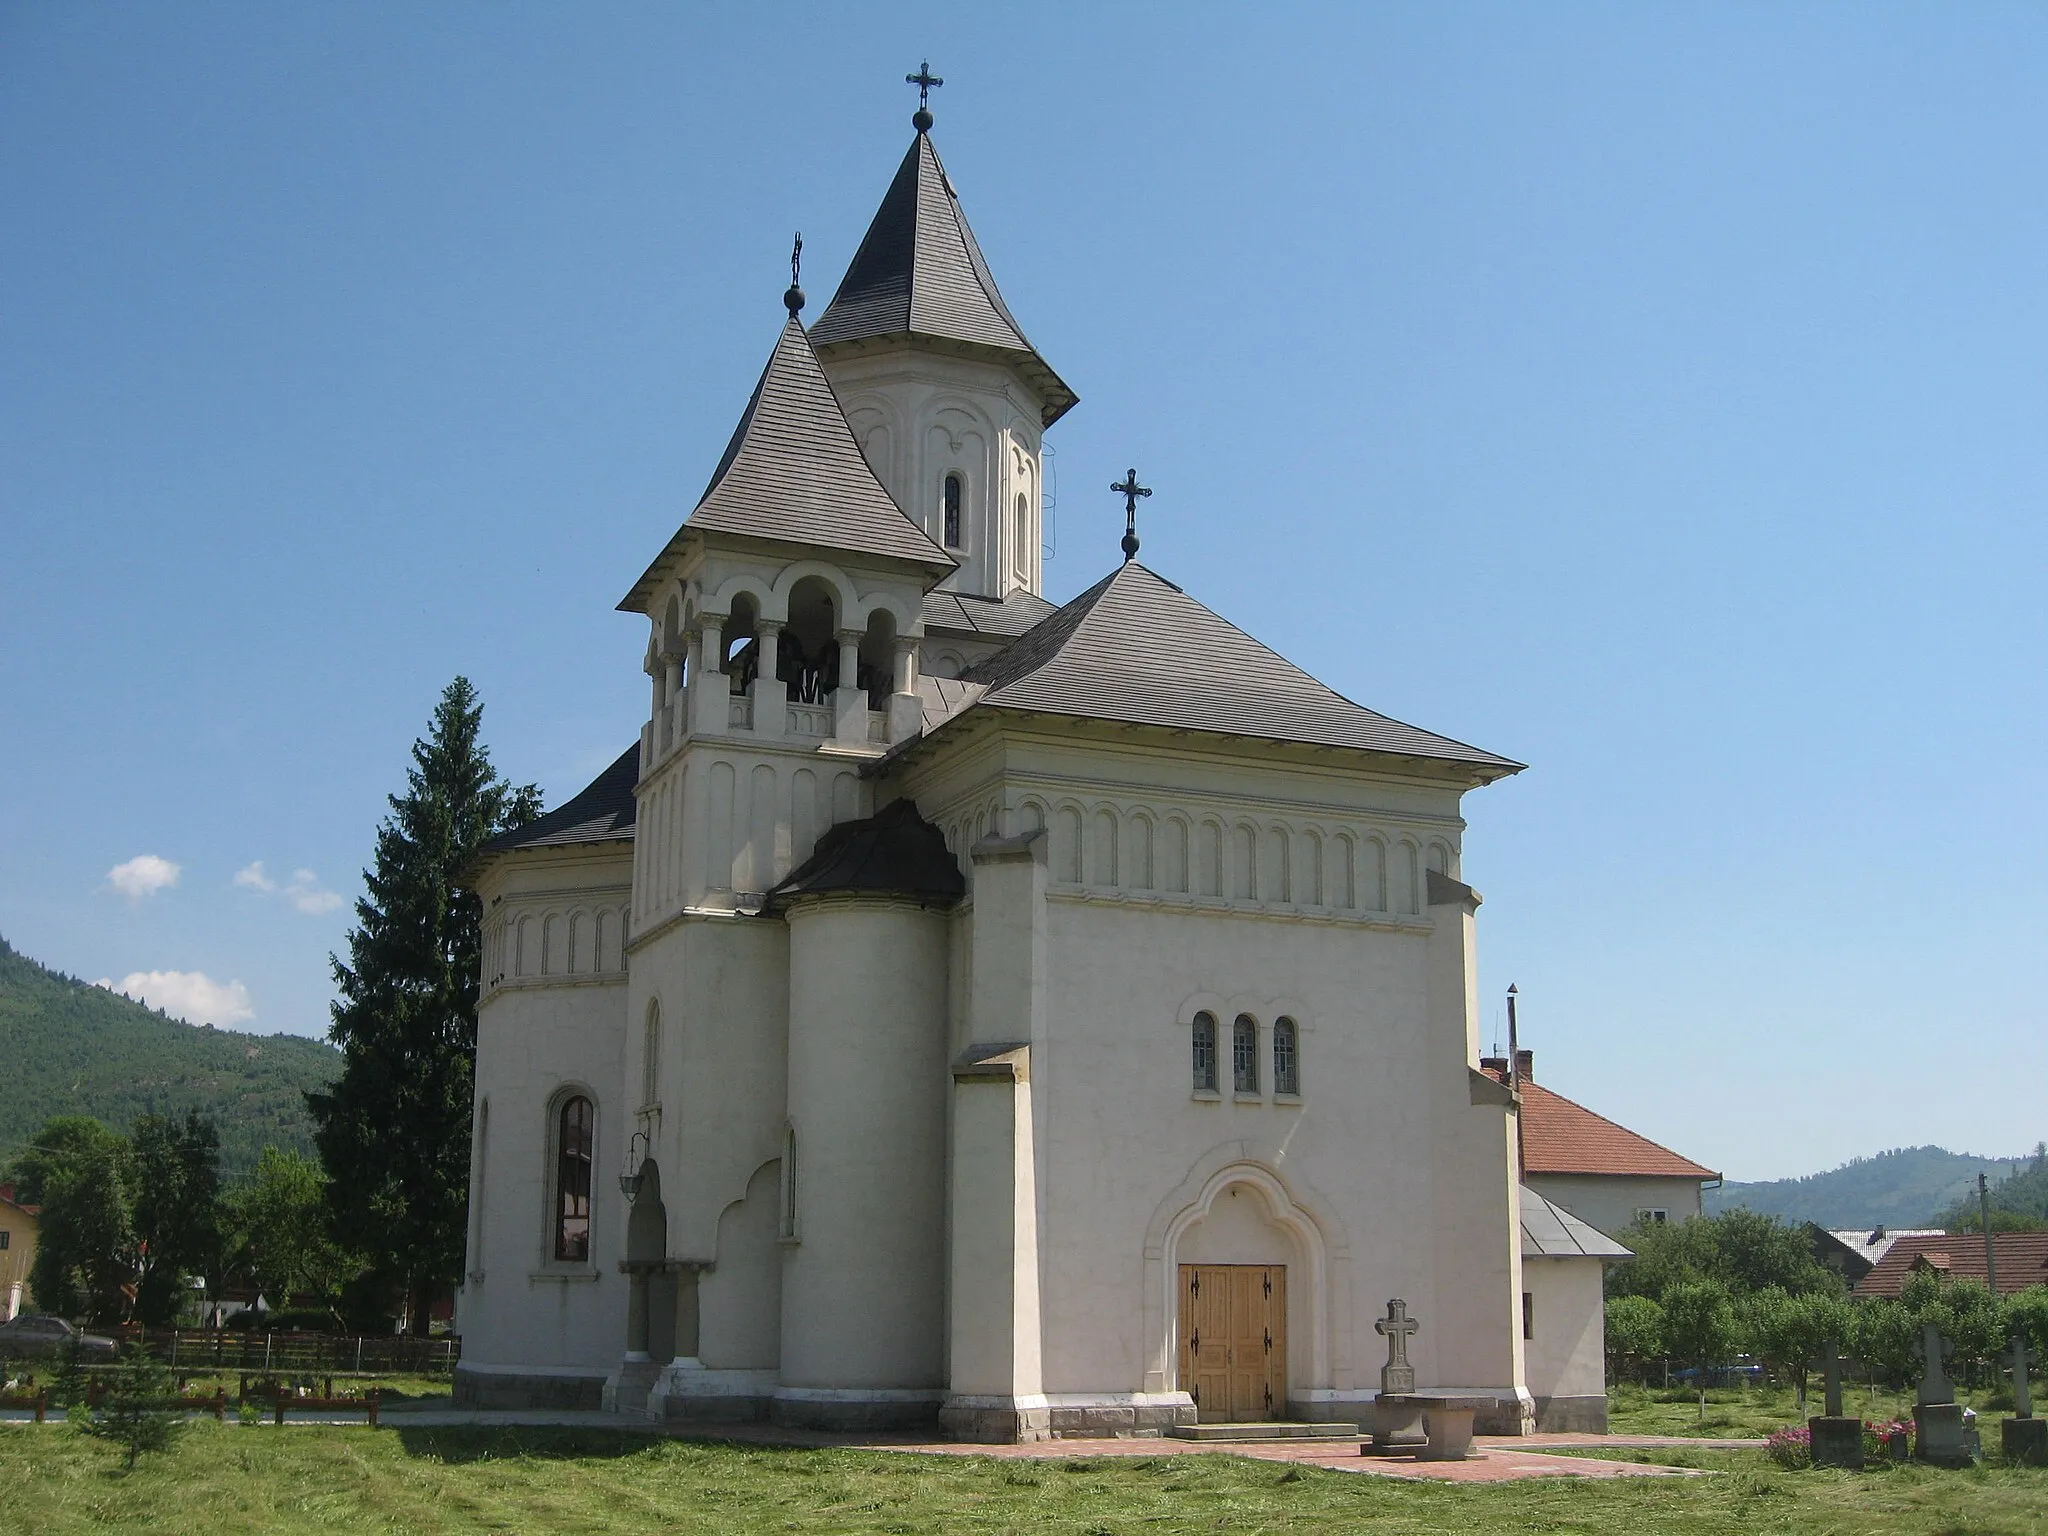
x,y
1136,648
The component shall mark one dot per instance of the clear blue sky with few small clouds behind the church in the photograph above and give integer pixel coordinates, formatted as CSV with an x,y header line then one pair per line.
x,y
1652,394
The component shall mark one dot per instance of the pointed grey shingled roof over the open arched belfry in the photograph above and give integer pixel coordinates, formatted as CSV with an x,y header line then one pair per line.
x,y
794,474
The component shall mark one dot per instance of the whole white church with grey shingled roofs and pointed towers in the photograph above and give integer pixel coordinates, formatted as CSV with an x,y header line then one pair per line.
x,y
968,1013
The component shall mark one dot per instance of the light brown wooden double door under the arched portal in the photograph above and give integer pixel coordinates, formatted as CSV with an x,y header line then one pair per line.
x,y
1234,1340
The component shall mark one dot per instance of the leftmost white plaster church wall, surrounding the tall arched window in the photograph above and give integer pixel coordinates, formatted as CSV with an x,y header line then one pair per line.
x,y
540,1037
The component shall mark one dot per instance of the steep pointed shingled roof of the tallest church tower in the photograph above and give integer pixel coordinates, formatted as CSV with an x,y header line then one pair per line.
x,y
921,273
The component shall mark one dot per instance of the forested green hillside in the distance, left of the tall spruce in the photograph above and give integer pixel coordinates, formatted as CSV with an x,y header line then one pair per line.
x,y
69,1048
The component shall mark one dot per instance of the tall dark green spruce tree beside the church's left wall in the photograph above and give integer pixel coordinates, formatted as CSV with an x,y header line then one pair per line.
x,y
394,1129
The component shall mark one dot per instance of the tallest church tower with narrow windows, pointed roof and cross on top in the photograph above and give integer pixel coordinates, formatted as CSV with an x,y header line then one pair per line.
x,y
945,394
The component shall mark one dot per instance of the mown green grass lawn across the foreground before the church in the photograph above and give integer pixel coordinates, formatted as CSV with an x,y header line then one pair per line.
x,y
425,1482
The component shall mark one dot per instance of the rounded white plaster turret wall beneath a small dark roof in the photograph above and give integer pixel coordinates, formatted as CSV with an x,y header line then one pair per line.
x,y
863,1283
